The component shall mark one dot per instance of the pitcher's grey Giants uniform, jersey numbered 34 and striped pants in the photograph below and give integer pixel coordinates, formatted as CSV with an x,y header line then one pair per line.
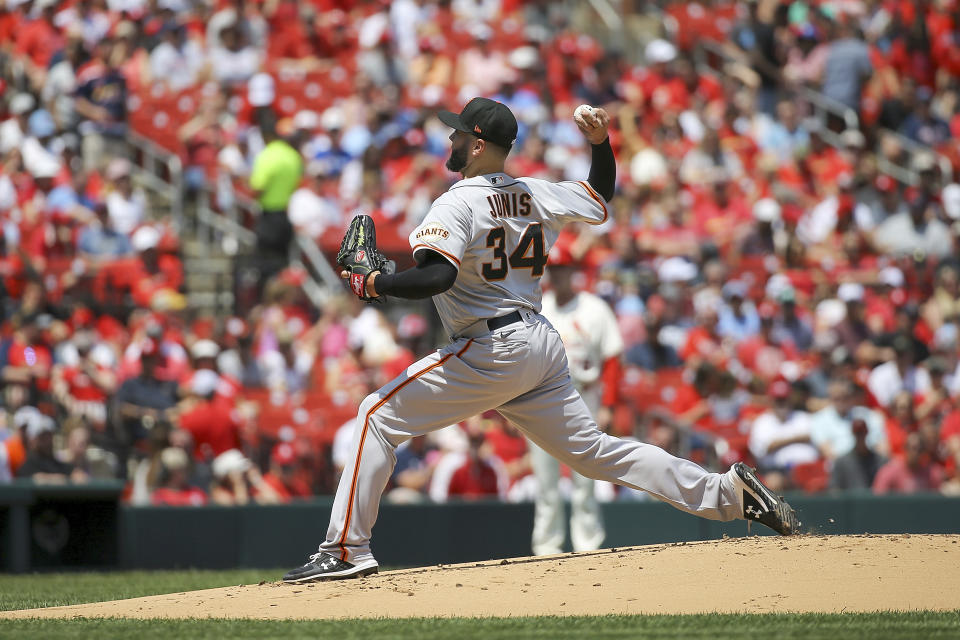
x,y
497,230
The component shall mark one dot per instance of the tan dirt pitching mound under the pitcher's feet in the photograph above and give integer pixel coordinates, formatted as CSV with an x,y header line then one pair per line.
x,y
745,575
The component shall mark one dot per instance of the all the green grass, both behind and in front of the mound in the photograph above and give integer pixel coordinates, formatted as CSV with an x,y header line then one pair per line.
x,y
32,591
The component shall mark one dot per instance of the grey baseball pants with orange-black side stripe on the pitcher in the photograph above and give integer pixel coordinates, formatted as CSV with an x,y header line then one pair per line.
x,y
520,370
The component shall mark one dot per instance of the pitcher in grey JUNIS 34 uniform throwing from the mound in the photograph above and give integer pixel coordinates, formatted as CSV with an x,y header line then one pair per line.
x,y
480,253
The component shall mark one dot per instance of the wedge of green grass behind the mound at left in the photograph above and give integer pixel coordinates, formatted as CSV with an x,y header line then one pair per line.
x,y
56,589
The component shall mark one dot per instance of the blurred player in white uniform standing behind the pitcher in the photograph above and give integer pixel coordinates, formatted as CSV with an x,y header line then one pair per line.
x,y
592,341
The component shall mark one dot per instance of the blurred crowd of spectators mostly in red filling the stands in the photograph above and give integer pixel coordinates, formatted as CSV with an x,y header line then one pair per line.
x,y
782,300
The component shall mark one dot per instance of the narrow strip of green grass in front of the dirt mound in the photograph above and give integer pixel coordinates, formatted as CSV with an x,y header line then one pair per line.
x,y
880,626
